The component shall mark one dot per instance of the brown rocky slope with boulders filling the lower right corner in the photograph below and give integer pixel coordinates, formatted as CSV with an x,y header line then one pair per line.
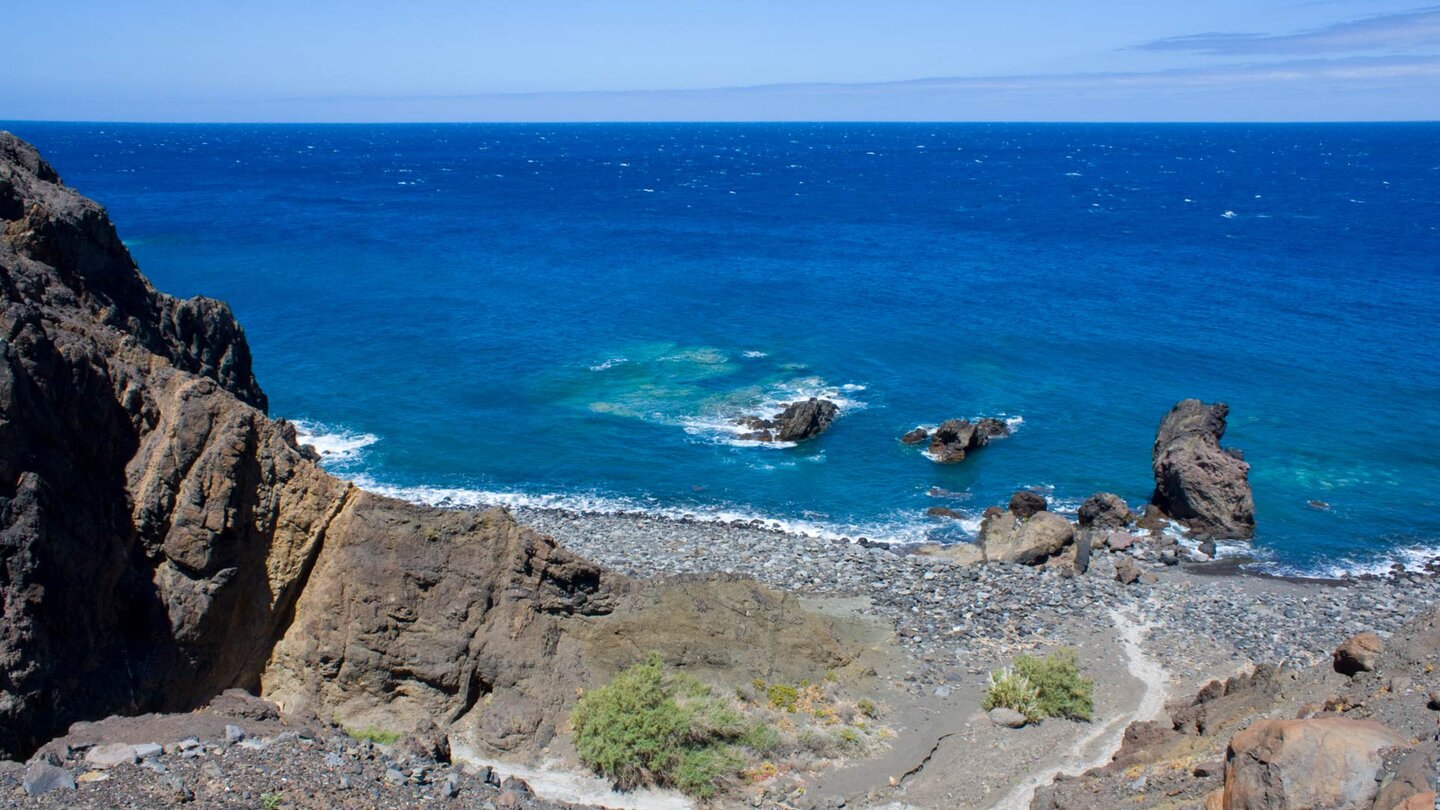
x,y
1279,737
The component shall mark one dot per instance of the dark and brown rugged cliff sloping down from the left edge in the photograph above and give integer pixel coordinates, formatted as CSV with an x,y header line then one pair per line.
x,y
158,530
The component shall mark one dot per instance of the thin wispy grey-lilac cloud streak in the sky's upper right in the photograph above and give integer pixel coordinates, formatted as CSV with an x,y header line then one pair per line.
x,y
1390,34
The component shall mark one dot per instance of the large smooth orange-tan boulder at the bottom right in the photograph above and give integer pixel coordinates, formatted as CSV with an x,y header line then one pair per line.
x,y
1279,765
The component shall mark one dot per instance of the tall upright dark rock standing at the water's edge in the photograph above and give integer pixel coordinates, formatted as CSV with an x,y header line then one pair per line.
x,y
1199,484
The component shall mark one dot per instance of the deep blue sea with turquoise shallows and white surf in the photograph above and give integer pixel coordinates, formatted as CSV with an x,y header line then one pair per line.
x,y
572,315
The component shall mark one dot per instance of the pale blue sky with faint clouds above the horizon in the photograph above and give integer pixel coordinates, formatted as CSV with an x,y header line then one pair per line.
x,y
722,61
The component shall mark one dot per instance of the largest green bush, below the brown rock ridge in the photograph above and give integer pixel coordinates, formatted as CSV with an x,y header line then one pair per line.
x,y
656,727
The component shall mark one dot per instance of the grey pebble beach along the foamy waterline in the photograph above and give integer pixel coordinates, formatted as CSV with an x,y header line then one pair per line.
x,y
963,620
